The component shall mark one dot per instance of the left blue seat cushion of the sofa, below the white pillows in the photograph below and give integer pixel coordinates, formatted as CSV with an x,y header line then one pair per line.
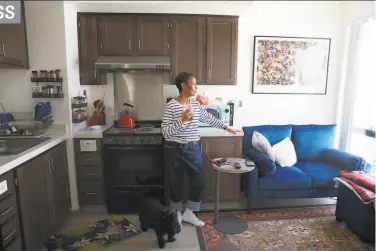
x,y
283,178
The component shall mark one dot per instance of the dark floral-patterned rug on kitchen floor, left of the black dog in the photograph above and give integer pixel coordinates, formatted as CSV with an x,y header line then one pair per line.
x,y
95,237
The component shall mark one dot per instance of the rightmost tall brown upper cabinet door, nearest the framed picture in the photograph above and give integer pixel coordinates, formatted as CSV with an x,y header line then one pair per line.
x,y
221,54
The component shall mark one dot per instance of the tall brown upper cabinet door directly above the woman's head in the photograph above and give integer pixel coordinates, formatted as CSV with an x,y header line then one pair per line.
x,y
187,45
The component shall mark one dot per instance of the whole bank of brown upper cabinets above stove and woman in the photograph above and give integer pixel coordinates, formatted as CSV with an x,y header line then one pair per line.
x,y
203,45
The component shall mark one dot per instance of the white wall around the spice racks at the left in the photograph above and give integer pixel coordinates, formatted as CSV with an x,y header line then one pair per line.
x,y
46,44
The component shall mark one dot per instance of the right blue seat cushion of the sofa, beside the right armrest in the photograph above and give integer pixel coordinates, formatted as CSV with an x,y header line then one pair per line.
x,y
321,174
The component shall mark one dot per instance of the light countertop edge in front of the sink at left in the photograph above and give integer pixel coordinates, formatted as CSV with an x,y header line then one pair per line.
x,y
7,163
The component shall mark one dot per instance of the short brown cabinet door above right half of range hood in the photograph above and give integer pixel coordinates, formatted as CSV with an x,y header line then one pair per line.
x,y
152,35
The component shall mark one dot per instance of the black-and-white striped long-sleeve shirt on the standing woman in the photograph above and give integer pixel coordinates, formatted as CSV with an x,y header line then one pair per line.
x,y
174,130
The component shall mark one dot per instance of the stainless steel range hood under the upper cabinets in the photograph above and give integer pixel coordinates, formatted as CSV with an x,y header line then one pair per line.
x,y
133,63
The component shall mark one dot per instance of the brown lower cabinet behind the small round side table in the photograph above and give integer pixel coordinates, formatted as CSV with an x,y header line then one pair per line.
x,y
216,147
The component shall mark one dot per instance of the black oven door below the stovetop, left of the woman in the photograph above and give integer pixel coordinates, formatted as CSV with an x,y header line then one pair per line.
x,y
125,165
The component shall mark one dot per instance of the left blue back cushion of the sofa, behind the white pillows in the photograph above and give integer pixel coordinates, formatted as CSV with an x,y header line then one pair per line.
x,y
273,133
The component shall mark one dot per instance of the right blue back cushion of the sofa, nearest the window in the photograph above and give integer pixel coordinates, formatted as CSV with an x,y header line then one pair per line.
x,y
309,140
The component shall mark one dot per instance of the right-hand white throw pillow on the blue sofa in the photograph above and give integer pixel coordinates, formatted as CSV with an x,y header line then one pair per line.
x,y
284,153
